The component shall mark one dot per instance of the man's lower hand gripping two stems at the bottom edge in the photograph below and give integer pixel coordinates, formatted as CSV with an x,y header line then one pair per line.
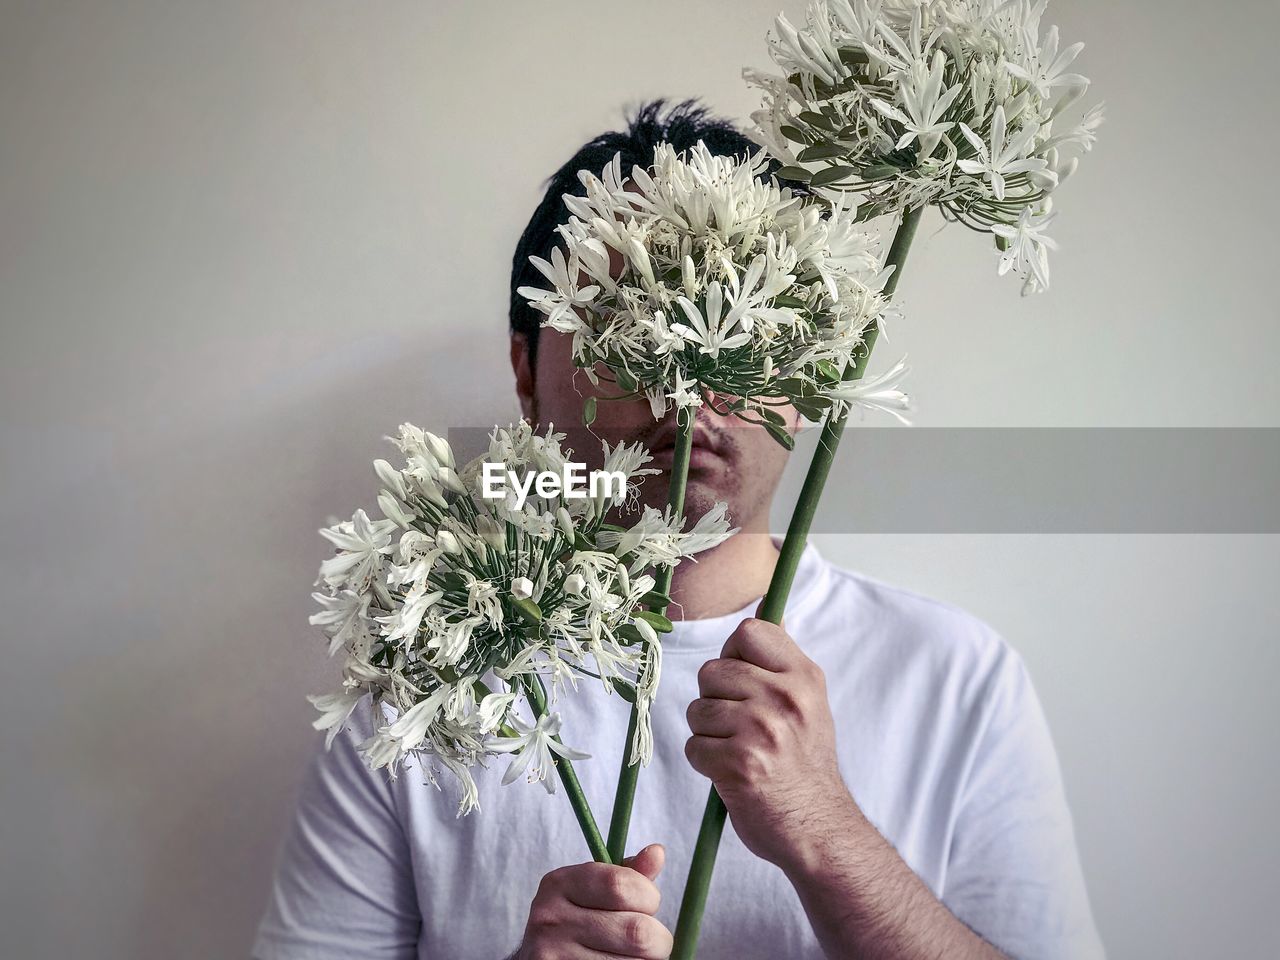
x,y
595,911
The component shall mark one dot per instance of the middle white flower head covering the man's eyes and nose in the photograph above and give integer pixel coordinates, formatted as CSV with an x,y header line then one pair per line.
x,y
700,277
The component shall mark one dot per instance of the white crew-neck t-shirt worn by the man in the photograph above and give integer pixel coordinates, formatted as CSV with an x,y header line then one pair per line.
x,y
941,742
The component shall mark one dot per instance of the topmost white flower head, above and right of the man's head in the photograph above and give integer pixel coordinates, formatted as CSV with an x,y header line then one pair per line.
x,y
950,103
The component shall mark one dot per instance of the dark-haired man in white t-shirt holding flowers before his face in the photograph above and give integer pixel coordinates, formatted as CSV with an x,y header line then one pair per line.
x,y
890,780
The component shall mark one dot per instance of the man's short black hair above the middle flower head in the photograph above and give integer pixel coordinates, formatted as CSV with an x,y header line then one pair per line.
x,y
682,126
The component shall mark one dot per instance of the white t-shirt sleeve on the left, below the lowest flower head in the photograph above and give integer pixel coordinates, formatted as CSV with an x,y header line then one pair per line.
x,y
344,888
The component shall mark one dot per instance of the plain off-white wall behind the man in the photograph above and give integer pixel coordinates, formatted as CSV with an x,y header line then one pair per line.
x,y
243,241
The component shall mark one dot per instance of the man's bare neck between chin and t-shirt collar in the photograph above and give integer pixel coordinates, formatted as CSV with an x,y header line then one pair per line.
x,y
725,579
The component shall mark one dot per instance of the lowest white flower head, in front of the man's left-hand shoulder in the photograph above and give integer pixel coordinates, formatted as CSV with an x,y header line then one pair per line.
x,y
455,607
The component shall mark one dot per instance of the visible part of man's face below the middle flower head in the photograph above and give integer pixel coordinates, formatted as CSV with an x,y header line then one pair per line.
x,y
732,461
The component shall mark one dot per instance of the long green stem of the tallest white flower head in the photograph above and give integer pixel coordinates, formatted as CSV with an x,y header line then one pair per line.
x,y
694,903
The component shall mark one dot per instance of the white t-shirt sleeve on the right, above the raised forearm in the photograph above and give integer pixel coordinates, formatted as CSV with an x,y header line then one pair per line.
x,y
1014,874
